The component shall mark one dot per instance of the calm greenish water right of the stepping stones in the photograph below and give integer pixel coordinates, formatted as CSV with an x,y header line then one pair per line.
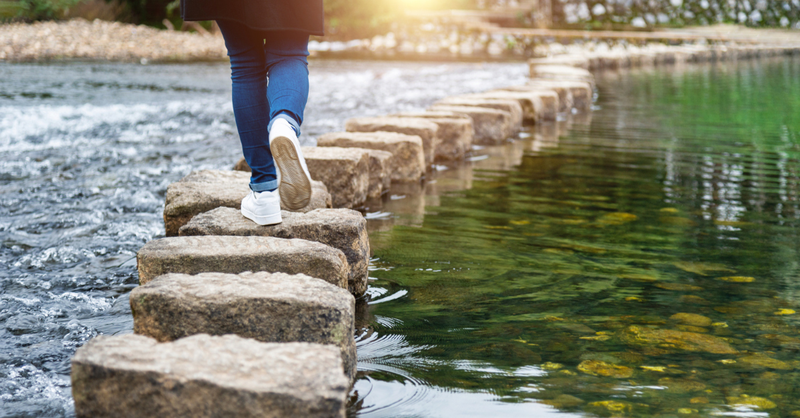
x,y
547,277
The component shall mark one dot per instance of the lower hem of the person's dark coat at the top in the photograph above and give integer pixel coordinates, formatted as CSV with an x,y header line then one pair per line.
x,y
294,15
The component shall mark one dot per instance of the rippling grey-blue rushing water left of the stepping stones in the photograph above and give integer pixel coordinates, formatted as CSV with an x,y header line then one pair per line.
x,y
86,153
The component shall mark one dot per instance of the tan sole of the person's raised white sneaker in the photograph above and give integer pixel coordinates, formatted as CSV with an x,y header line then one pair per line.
x,y
295,187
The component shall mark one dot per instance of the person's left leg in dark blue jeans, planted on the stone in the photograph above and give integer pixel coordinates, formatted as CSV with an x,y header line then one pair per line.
x,y
250,105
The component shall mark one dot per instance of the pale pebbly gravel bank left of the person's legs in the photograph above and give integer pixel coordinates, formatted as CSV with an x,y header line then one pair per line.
x,y
102,40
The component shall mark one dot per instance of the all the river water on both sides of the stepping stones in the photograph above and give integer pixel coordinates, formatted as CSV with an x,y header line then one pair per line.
x,y
541,278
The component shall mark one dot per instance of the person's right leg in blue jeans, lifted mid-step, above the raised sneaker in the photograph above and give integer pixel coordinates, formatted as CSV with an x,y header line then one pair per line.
x,y
287,66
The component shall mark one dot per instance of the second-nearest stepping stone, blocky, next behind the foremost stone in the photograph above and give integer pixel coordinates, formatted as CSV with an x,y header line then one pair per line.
x,y
268,307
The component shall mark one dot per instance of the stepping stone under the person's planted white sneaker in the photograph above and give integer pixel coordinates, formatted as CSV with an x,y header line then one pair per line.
x,y
343,229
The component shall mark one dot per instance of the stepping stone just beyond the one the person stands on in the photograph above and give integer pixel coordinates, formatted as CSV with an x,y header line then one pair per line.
x,y
204,190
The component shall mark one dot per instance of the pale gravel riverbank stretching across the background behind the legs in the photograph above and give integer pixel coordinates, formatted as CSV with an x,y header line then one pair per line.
x,y
79,39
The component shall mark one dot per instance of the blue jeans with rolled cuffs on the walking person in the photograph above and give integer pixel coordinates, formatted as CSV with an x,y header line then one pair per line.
x,y
259,58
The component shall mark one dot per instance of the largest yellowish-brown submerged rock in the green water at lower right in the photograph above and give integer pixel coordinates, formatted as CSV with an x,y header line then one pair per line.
x,y
671,339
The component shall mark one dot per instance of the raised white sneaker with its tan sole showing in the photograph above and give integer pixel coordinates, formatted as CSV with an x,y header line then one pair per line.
x,y
295,182
